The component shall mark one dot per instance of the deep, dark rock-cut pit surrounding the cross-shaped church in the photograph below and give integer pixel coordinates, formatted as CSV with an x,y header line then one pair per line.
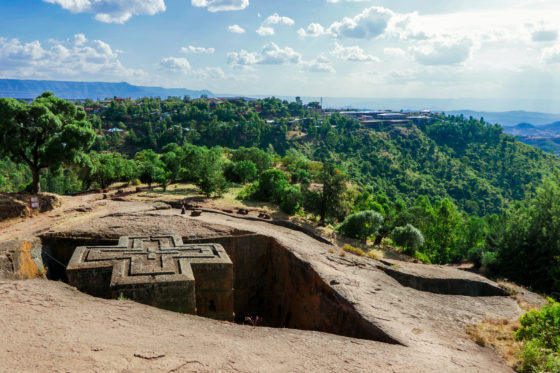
x,y
270,283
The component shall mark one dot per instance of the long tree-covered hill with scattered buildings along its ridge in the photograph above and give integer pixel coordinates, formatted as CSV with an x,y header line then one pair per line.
x,y
474,164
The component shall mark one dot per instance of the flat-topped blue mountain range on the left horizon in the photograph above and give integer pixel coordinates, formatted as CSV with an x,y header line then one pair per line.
x,y
28,89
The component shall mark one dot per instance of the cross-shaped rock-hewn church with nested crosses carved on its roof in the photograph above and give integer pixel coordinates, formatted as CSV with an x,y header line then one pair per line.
x,y
159,271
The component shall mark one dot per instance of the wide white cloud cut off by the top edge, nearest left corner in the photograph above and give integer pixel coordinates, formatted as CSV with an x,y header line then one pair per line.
x,y
112,11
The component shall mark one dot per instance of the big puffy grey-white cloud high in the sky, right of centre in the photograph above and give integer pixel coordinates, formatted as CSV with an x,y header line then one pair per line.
x,y
370,23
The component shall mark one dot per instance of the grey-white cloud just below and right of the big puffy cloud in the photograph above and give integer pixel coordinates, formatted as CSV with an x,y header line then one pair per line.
x,y
443,52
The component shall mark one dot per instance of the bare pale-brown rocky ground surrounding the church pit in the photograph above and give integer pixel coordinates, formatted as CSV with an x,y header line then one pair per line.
x,y
49,326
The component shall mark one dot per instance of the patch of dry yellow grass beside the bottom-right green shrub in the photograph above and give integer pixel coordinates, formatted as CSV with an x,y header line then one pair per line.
x,y
498,334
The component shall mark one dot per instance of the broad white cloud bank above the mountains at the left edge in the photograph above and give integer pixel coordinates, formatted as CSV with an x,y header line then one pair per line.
x,y
77,57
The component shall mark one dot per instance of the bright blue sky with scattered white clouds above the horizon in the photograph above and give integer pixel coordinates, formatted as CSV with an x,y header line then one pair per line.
x,y
442,49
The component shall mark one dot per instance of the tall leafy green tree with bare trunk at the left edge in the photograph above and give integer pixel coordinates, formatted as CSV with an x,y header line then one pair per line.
x,y
44,133
